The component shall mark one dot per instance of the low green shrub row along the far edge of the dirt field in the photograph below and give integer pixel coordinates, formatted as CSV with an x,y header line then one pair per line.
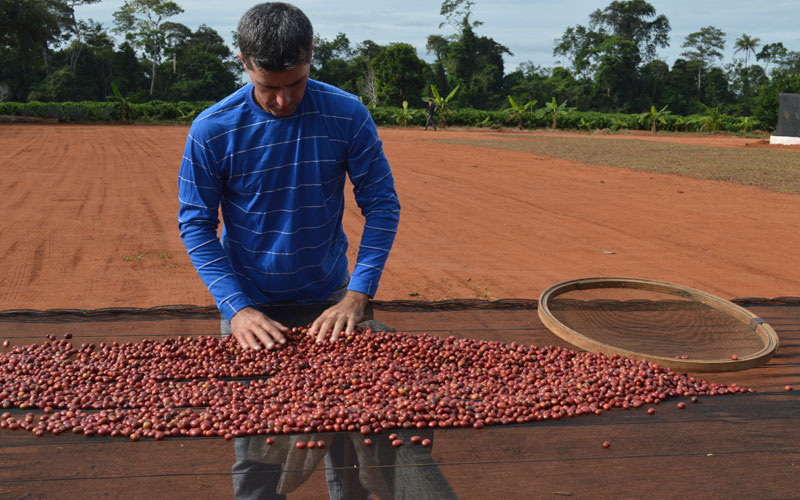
x,y
184,112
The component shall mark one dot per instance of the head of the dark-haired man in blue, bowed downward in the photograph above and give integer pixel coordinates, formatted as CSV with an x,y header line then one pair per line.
x,y
276,43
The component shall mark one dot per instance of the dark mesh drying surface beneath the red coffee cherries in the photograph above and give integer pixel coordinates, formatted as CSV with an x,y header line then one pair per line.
x,y
743,446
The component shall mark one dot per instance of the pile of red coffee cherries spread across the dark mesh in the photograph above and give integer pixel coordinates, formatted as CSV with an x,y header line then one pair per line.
x,y
368,382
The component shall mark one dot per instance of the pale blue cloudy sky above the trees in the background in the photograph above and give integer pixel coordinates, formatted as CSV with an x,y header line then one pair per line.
x,y
527,28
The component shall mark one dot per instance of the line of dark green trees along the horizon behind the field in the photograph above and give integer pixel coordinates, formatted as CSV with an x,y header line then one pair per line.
x,y
610,65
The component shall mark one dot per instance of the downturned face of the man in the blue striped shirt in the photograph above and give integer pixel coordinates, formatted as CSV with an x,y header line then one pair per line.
x,y
278,92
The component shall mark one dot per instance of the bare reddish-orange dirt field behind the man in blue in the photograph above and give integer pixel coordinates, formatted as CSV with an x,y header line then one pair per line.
x,y
91,221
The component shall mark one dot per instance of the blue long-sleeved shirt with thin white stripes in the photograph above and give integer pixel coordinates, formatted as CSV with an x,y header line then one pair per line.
x,y
279,185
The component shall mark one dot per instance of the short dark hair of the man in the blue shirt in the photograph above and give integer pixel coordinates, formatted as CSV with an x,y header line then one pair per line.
x,y
275,36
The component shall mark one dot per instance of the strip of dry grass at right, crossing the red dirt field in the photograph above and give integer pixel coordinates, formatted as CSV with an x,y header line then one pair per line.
x,y
774,170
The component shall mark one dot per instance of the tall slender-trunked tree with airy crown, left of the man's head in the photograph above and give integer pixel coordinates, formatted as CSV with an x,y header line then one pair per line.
x,y
142,23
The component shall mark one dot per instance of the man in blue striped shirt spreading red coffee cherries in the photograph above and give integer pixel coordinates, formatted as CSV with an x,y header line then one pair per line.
x,y
273,157
